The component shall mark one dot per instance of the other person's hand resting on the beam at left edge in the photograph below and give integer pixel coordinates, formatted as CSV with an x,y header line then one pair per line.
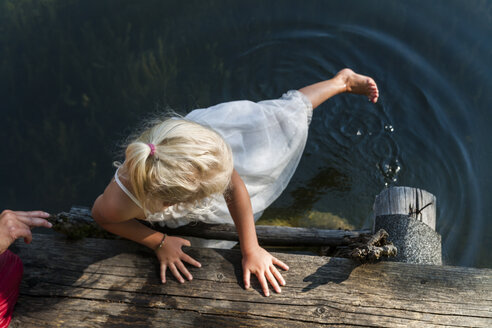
x,y
17,224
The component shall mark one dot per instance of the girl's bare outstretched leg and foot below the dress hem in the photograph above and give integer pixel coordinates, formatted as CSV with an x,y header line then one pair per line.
x,y
344,81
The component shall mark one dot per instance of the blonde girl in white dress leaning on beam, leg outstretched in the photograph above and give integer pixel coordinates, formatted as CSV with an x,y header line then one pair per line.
x,y
245,151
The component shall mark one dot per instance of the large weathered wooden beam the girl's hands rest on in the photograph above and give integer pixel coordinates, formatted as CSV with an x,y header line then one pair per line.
x,y
93,283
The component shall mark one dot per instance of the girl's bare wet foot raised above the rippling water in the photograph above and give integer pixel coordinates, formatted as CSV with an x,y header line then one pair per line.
x,y
358,84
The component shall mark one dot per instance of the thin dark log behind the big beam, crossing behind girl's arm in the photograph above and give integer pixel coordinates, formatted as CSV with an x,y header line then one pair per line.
x,y
78,223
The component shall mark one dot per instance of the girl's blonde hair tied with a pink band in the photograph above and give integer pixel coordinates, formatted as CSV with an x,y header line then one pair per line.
x,y
190,163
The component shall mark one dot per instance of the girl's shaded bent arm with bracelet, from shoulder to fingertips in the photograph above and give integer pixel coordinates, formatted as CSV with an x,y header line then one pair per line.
x,y
115,216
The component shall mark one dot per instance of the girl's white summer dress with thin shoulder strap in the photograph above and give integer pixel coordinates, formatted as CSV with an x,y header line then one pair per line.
x,y
267,139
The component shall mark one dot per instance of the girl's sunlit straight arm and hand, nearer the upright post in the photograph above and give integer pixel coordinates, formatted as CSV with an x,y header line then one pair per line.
x,y
256,260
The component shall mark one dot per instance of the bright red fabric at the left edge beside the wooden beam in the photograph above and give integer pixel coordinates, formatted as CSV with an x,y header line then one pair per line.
x,y
10,277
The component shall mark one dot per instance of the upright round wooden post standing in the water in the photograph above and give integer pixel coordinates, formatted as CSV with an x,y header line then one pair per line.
x,y
409,217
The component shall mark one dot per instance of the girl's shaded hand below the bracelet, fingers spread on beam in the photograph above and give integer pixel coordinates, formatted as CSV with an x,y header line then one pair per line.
x,y
170,256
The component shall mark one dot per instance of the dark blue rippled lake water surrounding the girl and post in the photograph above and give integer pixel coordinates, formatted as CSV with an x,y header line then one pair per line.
x,y
77,76
